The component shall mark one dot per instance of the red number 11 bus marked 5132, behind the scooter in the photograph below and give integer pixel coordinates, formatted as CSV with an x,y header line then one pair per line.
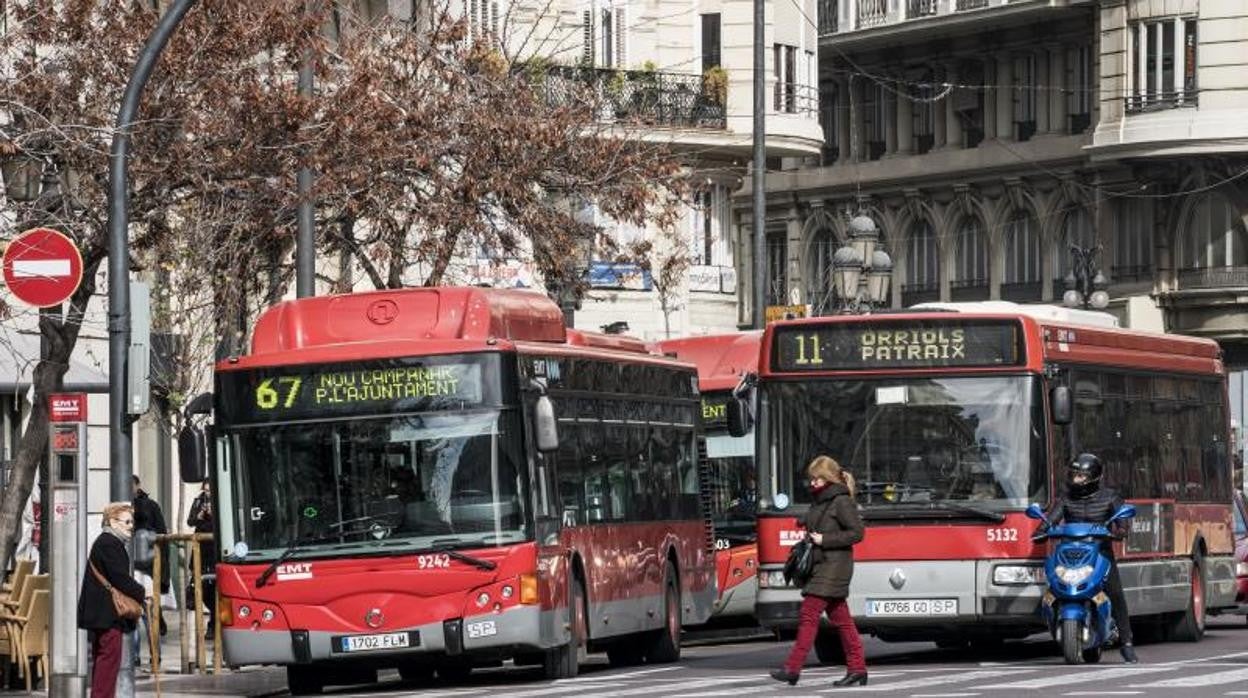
x,y
953,423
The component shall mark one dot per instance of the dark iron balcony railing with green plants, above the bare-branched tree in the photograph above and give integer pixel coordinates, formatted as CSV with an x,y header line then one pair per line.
x,y
643,97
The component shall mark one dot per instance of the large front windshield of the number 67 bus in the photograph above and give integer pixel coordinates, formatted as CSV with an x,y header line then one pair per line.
x,y
406,481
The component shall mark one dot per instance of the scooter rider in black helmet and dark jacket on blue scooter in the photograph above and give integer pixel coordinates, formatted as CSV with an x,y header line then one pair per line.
x,y
1088,503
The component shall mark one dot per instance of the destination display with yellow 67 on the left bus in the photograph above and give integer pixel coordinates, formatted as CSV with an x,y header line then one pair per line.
x,y
300,393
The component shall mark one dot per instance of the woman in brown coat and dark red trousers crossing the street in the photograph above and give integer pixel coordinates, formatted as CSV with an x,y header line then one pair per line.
x,y
834,526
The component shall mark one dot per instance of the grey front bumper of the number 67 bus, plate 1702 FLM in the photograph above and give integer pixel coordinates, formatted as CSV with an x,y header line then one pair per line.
x,y
491,635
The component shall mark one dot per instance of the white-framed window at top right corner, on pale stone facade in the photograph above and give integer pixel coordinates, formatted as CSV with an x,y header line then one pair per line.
x,y
1163,69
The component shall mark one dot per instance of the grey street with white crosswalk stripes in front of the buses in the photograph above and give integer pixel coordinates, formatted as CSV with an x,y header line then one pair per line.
x,y
1219,666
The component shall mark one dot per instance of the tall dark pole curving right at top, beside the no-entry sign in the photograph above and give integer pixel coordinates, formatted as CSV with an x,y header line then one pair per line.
x,y
120,468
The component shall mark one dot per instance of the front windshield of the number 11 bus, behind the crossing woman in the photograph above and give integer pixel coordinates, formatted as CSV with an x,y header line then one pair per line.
x,y
915,444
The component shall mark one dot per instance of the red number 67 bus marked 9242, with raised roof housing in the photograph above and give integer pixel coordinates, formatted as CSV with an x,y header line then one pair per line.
x,y
442,479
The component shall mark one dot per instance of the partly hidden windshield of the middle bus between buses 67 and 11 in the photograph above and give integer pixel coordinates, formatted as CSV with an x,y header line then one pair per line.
x,y
729,465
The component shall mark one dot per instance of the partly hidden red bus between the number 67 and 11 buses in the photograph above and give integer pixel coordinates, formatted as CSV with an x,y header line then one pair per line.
x,y
722,361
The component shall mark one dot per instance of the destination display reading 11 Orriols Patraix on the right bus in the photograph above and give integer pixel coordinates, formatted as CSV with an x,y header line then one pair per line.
x,y
897,345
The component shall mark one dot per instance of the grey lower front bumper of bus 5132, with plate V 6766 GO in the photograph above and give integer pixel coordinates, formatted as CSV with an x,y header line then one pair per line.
x,y
919,601
